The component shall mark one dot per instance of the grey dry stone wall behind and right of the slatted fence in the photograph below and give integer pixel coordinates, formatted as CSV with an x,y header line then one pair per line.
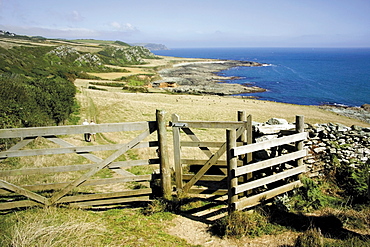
x,y
325,142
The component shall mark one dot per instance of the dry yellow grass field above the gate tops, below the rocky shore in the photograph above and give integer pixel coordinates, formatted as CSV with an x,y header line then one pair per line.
x,y
123,107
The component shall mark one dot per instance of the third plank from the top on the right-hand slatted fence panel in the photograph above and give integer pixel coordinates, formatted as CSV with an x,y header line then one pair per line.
x,y
270,179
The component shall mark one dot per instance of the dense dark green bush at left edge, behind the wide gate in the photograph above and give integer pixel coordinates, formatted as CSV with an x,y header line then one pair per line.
x,y
30,102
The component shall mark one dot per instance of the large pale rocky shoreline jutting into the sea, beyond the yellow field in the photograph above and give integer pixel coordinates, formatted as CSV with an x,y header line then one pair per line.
x,y
202,78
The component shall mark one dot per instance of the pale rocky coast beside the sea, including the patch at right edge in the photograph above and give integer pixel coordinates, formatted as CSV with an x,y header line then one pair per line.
x,y
201,77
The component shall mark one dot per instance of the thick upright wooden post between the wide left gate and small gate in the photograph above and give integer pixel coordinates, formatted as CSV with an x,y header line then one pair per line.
x,y
163,154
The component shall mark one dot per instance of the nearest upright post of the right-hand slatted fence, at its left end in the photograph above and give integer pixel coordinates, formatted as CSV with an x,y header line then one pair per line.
x,y
232,180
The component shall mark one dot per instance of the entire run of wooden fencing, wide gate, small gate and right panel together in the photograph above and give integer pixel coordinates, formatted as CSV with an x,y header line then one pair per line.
x,y
238,174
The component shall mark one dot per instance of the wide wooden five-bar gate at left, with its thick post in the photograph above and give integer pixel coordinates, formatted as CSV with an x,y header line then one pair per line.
x,y
79,192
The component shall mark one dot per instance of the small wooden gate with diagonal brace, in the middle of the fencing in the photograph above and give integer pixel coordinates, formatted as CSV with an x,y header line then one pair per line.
x,y
203,180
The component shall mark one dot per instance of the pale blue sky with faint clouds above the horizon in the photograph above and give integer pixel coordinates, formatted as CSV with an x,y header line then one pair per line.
x,y
195,23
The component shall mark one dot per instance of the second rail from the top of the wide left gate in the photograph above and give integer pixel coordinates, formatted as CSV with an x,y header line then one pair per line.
x,y
73,149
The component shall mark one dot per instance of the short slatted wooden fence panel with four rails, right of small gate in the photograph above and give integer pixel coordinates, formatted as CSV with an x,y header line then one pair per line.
x,y
272,176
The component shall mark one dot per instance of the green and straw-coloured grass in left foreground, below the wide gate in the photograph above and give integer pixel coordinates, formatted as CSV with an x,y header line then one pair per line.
x,y
72,227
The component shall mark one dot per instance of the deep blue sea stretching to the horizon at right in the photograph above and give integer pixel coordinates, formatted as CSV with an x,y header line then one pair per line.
x,y
304,76
